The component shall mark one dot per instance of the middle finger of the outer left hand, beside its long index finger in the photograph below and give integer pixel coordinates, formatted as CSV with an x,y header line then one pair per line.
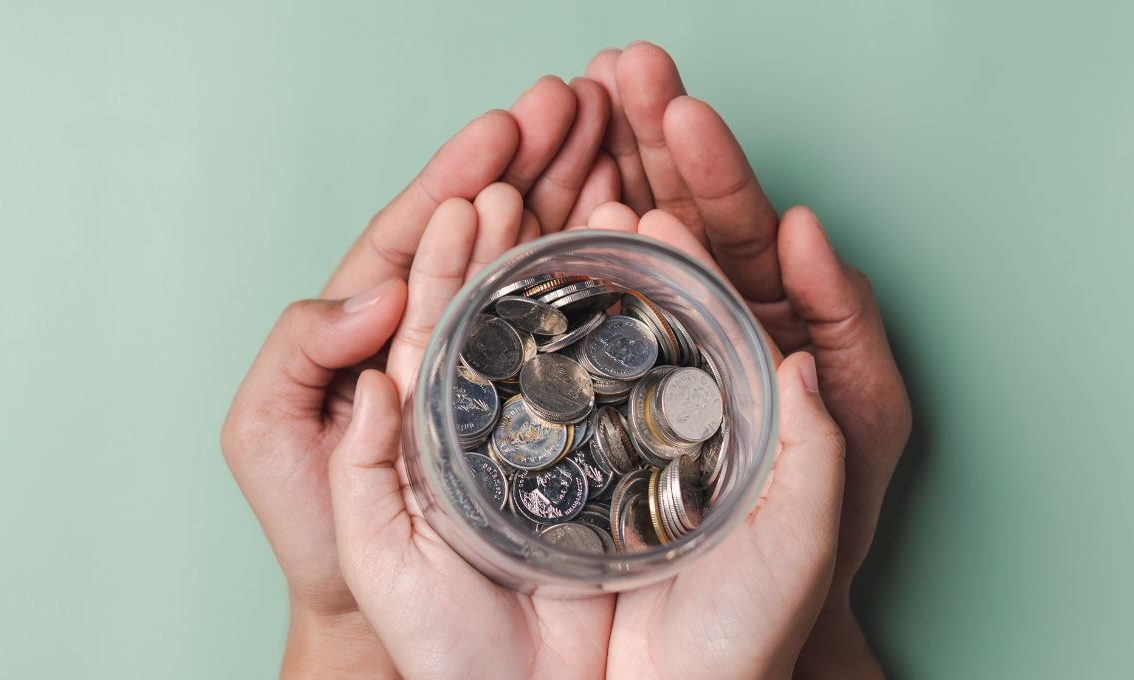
x,y
544,116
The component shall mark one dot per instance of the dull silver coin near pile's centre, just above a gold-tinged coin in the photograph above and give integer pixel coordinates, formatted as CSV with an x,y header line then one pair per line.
x,y
557,388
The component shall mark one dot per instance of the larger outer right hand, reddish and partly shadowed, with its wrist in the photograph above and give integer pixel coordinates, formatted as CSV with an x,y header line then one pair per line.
x,y
676,154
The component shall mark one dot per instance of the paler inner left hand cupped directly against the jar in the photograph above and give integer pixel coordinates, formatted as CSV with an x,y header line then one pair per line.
x,y
435,614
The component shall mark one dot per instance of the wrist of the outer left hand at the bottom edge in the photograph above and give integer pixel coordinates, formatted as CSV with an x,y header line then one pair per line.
x,y
337,645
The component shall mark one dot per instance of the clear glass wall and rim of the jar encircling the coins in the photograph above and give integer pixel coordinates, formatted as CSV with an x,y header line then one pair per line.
x,y
490,540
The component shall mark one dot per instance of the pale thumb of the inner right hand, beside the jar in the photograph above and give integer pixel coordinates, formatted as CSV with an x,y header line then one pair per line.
x,y
801,508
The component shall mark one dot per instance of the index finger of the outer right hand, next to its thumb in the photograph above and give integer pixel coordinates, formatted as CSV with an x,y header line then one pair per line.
x,y
739,219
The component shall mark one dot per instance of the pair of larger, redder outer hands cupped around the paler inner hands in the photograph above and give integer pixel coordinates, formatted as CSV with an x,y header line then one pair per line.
x,y
284,422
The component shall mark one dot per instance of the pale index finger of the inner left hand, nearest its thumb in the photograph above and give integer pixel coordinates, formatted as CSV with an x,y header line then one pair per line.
x,y
437,276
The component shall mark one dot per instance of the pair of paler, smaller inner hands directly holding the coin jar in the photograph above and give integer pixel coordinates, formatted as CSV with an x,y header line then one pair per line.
x,y
768,580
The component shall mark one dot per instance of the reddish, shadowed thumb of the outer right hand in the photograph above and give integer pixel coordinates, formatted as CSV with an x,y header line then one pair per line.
x,y
860,378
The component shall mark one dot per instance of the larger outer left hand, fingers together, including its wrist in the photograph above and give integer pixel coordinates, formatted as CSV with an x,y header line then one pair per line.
x,y
295,403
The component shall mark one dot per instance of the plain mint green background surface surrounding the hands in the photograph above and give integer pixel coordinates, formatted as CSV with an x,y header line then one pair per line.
x,y
173,174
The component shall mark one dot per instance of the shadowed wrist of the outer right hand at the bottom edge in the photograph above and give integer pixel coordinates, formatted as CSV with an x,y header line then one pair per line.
x,y
837,648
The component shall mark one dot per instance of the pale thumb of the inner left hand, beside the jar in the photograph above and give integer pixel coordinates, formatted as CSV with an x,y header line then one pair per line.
x,y
370,512
